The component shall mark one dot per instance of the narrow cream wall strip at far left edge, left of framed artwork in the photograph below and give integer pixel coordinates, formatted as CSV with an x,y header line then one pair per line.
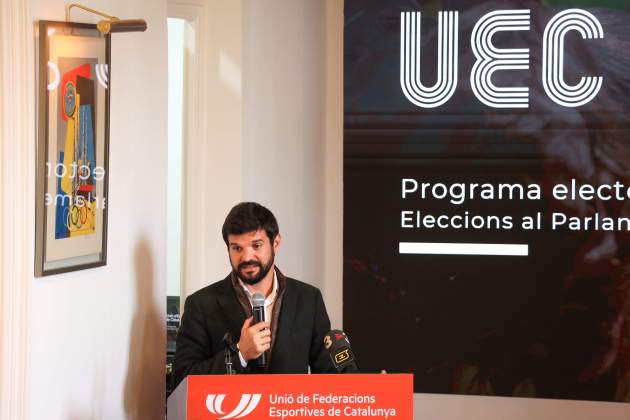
x,y
18,210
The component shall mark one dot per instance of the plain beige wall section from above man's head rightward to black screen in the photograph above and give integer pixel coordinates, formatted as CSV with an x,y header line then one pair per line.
x,y
292,132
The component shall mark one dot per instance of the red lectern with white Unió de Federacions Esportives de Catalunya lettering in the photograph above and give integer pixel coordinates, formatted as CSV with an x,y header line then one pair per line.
x,y
356,396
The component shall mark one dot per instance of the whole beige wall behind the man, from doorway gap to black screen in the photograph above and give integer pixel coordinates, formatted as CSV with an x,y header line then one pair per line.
x,y
270,136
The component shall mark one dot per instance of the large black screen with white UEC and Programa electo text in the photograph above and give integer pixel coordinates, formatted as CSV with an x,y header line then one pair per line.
x,y
487,195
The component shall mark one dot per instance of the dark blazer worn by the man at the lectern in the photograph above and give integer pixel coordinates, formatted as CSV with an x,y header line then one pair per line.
x,y
214,310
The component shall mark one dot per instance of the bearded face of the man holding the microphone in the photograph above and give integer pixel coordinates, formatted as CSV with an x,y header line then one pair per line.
x,y
252,255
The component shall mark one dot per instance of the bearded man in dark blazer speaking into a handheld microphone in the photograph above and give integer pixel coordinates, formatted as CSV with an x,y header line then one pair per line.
x,y
296,319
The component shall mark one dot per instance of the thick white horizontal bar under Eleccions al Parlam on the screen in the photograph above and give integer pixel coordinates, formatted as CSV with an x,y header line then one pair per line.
x,y
437,248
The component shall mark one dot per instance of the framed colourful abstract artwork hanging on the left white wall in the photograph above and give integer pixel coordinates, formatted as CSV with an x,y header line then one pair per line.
x,y
72,148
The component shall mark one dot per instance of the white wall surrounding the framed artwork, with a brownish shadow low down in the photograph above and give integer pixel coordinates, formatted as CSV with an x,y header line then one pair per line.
x,y
97,337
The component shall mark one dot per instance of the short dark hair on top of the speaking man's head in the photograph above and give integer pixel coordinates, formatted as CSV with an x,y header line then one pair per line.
x,y
249,217
